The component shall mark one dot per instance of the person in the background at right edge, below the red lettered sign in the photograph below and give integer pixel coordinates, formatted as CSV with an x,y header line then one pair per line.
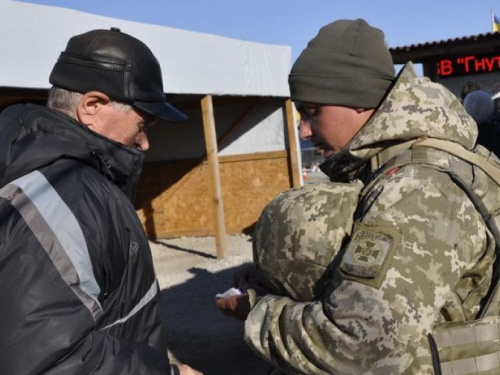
x,y
480,105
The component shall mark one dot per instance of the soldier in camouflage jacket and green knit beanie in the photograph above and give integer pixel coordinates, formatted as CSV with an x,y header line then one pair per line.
x,y
420,253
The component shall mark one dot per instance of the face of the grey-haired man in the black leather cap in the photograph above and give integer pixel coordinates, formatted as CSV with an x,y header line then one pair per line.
x,y
123,126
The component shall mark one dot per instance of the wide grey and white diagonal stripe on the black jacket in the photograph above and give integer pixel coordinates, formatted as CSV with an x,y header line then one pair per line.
x,y
45,212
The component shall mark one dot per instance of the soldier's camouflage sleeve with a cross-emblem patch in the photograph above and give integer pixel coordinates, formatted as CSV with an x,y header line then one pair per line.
x,y
417,247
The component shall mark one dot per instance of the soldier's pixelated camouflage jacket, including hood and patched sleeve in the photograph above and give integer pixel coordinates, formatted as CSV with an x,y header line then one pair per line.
x,y
420,253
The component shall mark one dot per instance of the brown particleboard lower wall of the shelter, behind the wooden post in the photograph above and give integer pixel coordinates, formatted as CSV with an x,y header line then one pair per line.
x,y
175,198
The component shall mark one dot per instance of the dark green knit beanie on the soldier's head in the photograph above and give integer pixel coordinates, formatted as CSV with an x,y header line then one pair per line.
x,y
346,64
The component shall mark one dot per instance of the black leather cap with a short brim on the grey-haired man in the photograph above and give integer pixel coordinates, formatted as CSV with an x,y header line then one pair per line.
x,y
118,65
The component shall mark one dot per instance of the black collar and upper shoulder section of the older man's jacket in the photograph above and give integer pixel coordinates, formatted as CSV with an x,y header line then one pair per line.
x,y
39,136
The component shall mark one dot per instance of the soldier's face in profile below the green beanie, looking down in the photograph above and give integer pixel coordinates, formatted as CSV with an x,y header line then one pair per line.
x,y
330,127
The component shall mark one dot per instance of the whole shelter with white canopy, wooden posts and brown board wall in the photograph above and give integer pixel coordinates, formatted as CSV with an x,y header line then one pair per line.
x,y
234,92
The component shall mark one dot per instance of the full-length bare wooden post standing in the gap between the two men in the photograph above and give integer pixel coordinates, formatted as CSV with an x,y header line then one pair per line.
x,y
213,163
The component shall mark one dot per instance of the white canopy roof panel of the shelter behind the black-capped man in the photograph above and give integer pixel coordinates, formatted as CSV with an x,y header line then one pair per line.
x,y
192,63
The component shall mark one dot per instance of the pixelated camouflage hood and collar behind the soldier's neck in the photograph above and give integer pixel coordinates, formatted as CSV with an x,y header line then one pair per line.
x,y
414,107
